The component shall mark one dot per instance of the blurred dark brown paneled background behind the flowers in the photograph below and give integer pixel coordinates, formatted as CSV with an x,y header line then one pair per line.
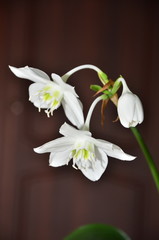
x,y
120,37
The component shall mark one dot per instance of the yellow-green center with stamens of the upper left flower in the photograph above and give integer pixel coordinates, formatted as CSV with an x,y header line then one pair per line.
x,y
51,96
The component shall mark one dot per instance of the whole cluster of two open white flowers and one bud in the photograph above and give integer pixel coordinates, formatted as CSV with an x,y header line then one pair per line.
x,y
88,154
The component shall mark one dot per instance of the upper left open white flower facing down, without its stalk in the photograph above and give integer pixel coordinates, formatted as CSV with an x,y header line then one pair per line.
x,y
47,94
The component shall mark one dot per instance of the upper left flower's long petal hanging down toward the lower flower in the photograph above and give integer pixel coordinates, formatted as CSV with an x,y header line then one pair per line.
x,y
73,110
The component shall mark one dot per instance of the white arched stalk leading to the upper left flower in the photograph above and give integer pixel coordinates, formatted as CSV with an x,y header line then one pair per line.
x,y
85,66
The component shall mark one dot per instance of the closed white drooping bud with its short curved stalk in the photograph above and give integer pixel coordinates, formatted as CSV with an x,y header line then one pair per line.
x,y
130,110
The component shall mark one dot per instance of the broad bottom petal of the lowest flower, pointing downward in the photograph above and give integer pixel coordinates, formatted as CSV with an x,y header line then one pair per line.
x,y
98,168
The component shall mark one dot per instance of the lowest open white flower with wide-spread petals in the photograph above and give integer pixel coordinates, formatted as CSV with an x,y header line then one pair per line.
x,y
89,154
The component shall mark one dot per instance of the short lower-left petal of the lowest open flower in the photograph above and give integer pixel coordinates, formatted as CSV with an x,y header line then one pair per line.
x,y
58,159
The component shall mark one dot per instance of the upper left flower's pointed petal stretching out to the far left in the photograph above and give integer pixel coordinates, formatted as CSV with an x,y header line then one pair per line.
x,y
29,73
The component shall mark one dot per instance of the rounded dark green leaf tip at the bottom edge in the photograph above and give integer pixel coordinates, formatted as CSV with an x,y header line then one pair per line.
x,y
97,232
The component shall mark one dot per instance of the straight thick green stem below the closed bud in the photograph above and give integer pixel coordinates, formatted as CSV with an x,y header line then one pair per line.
x,y
149,159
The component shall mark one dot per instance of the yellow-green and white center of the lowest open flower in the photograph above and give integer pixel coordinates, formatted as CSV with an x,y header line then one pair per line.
x,y
83,155
